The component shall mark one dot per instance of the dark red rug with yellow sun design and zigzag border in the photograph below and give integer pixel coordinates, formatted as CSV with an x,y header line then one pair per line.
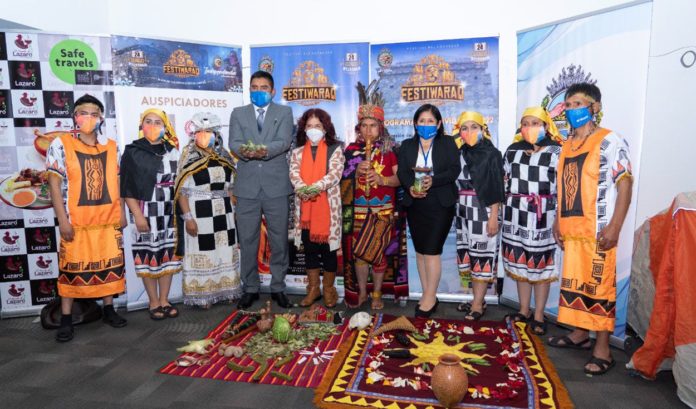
x,y
507,367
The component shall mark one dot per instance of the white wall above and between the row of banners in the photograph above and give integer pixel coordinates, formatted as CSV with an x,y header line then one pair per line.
x,y
311,21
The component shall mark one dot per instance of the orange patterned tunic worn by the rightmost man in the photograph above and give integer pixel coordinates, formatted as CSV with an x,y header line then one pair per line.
x,y
588,284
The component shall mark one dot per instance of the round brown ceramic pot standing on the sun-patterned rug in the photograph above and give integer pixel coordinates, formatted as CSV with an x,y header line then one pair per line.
x,y
449,380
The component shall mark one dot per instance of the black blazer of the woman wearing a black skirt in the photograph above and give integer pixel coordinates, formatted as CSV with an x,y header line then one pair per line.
x,y
445,171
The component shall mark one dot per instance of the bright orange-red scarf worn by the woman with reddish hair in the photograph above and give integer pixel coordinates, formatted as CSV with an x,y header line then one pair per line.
x,y
315,214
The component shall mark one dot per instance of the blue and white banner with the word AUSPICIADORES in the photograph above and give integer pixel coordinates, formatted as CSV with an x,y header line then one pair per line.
x,y
182,79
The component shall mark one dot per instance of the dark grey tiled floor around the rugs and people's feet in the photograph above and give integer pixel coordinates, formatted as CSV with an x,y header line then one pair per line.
x,y
117,368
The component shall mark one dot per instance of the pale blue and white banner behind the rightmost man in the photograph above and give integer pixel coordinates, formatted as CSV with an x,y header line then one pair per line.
x,y
592,49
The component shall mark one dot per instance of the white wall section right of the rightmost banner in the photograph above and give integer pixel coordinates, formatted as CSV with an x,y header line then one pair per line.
x,y
668,160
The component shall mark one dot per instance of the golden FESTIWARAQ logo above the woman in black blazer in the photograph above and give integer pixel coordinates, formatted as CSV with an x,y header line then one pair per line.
x,y
432,81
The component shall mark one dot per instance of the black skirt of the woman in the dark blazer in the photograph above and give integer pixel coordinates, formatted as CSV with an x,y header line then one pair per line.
x,y
429,223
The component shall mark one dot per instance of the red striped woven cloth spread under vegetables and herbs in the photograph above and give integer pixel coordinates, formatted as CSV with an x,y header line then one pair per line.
x,y
306,369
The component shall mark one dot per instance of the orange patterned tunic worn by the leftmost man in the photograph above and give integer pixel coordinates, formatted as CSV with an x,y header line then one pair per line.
x,y
92,265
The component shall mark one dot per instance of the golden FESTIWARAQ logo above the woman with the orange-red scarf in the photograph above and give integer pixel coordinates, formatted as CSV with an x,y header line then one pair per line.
x,y
309,85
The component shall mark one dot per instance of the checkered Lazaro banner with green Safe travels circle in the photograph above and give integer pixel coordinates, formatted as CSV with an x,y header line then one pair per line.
x,y
41,76
